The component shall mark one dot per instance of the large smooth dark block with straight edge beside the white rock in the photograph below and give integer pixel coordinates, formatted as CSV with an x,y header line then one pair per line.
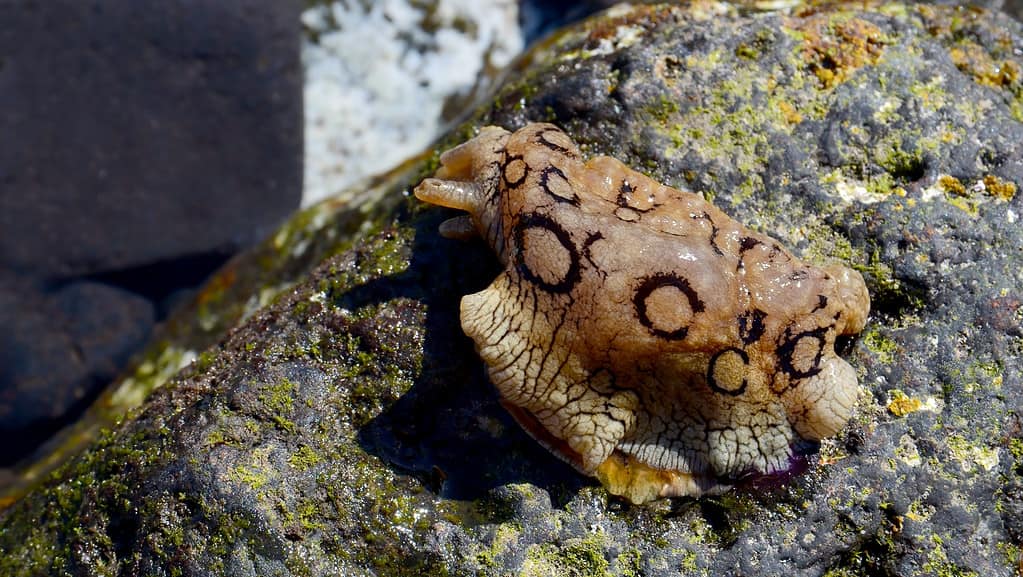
x,y
142,132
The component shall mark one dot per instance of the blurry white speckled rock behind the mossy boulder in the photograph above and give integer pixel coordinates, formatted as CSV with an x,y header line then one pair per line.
x,y
378,75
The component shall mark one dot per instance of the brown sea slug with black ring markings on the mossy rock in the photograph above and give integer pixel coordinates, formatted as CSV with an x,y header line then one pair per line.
x,y
639,332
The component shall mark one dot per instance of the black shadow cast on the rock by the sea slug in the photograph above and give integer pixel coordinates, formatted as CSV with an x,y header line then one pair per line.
x,y
450,430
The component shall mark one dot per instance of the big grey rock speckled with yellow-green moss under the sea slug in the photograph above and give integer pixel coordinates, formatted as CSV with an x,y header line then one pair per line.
x,y
347,428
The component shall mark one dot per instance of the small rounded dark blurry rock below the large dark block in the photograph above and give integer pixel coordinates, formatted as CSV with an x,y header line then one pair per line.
x,y
58,350
